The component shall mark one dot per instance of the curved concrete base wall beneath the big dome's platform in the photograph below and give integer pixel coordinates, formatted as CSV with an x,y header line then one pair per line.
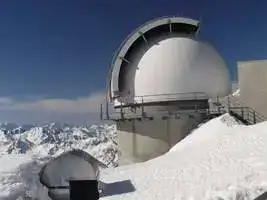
x,y
143,140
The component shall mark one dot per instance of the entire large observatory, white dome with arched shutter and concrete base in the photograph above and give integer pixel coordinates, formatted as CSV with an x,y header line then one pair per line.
x,y
161,78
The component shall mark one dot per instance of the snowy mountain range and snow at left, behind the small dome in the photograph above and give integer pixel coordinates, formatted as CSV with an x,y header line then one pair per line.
x,y
23,151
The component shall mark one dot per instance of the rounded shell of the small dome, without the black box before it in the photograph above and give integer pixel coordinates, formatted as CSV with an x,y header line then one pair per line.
x,y
75,164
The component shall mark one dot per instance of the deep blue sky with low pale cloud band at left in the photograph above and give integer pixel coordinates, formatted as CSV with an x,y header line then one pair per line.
x,y
55,54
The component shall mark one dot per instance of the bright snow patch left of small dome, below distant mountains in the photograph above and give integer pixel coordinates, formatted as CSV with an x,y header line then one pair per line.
x,y
19,178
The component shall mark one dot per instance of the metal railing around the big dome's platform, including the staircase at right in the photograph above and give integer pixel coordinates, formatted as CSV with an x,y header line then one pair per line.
x,y
136,107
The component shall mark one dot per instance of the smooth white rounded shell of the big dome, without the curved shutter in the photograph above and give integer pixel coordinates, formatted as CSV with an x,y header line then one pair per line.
x,y
181,65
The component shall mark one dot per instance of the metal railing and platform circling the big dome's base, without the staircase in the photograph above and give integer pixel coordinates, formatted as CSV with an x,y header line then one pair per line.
x,y
134,107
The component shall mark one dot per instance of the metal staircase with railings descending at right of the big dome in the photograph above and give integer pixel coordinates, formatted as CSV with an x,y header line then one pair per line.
x,y
237,109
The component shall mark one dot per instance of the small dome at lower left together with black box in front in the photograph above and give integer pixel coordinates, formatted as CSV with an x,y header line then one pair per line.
x,y
72,176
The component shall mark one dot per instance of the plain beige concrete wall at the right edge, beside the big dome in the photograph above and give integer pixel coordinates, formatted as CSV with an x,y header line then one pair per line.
x,y
252,76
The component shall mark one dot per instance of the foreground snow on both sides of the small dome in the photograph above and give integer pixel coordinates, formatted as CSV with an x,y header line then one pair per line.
x,y
222,159
